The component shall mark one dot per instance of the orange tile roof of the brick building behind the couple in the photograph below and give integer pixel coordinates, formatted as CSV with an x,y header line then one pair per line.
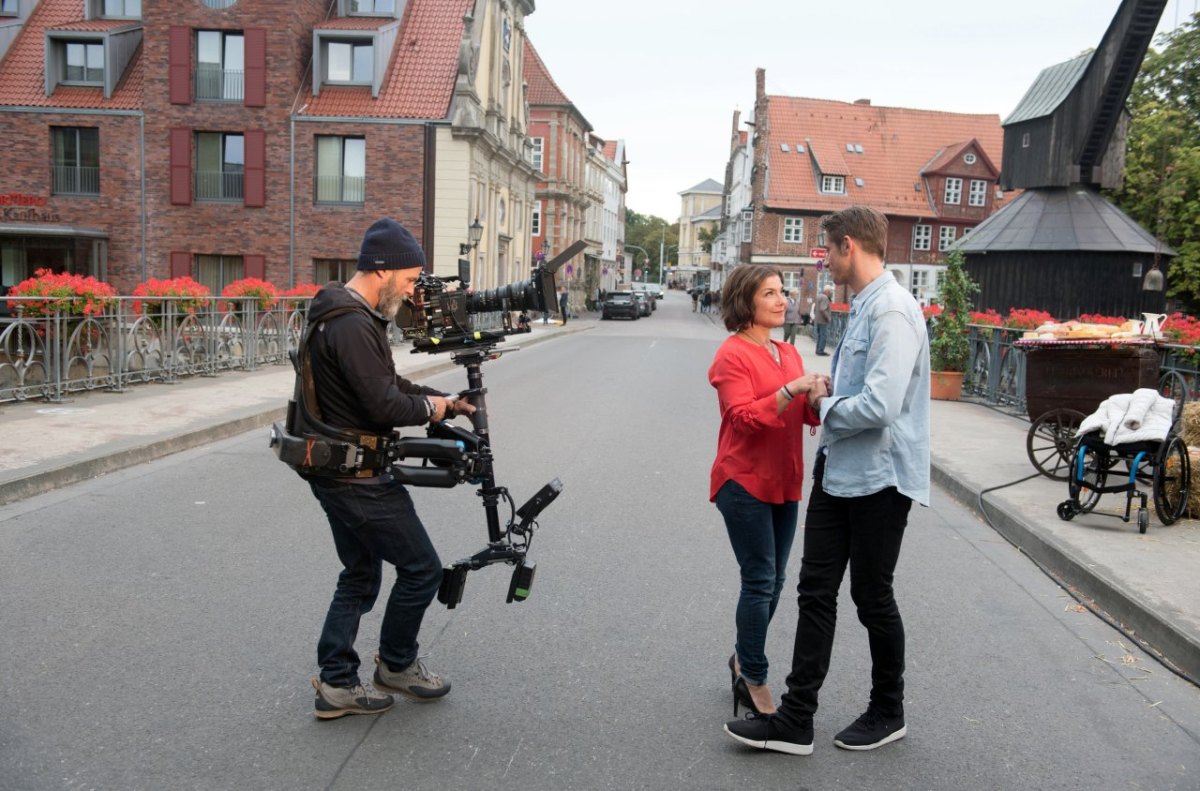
x,y
898,146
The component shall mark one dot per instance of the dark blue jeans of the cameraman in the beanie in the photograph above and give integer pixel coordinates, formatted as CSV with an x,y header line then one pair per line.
x,y
373,524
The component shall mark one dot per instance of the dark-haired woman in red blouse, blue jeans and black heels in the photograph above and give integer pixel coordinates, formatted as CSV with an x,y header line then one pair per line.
x,y
765,398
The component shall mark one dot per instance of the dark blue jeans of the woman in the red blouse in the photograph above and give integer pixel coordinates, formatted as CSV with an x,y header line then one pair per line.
x,y
761,535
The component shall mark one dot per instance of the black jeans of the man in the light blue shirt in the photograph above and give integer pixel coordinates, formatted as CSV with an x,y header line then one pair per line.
x,y
865,532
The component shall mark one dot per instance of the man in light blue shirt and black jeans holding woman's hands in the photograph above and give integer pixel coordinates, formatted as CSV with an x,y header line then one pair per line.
x,y
872,465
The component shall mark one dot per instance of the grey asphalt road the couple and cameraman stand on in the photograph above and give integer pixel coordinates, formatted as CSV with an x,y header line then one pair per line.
x,y
159,625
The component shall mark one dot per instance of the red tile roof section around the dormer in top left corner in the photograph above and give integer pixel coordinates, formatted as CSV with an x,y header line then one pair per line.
x,y
23,69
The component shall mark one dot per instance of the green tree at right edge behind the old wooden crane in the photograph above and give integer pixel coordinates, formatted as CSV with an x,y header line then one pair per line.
x,y
1162,178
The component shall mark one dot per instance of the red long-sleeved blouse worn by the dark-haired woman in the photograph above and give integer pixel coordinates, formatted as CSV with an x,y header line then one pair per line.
x,y
761,451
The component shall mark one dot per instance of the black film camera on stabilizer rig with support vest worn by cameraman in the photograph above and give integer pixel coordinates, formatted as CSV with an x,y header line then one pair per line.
x,y
440,320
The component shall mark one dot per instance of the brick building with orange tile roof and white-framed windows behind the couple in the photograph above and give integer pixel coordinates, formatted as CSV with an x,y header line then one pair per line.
x,y
933,175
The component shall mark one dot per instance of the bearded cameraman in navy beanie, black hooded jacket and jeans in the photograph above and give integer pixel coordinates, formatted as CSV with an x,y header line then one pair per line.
x,y
373,518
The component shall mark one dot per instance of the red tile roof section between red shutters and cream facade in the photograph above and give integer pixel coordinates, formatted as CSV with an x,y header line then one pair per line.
x,y
422,75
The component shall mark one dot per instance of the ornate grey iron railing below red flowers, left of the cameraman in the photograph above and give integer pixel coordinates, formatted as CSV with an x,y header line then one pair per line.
x,y
139,340
